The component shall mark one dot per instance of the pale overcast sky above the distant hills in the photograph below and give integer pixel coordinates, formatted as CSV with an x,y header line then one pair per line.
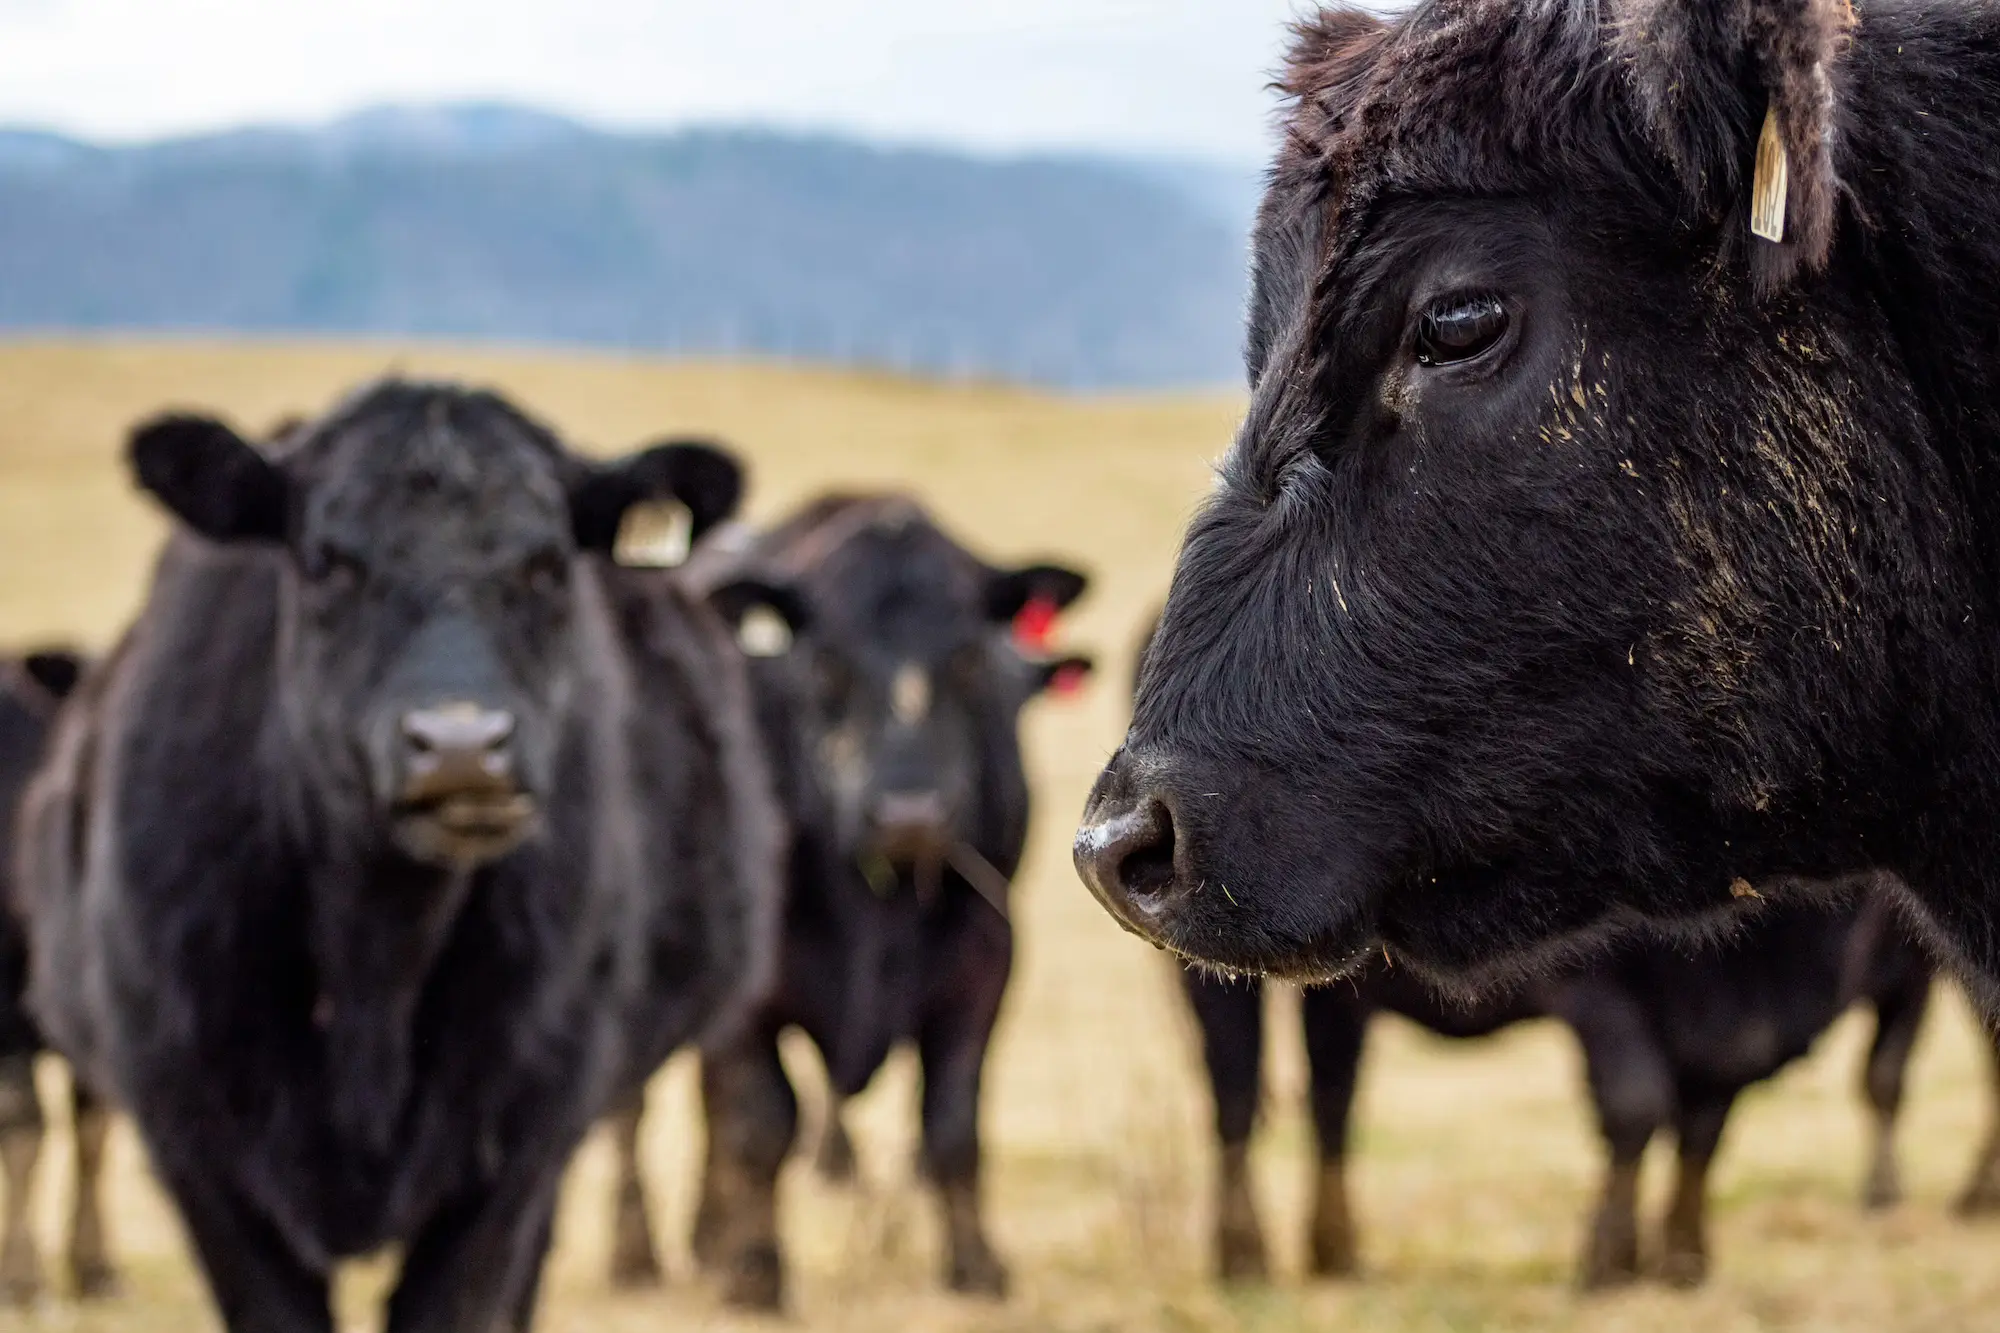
x,y
1183,77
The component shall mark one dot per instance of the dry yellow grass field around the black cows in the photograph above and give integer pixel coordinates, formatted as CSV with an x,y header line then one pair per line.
x,y
1475,1162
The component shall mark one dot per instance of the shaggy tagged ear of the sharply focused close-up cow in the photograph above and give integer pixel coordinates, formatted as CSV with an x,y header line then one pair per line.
x,y
1705,77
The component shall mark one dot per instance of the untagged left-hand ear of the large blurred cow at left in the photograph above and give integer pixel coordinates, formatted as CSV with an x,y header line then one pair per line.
x,y
213,479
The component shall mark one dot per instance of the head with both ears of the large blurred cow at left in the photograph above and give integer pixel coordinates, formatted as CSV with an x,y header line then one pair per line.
x,y
435,577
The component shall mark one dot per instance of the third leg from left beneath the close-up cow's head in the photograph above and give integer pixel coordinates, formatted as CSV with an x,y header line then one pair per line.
x,y
1633,1092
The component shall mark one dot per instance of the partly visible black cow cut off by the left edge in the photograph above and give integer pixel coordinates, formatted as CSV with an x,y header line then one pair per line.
x,y
31,692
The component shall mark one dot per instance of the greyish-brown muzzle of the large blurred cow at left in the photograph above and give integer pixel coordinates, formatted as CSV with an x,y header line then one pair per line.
x,y
461,802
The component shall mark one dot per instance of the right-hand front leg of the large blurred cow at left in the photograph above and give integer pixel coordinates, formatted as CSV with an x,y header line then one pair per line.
x,y
477,1264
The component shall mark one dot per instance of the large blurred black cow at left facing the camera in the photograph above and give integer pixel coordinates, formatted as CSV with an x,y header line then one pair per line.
x,y
397,836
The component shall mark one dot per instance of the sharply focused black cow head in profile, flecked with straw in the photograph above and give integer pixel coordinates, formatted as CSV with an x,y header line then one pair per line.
x,y
1559,563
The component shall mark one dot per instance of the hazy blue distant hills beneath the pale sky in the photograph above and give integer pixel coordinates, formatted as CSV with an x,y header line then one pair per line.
x,y
505,223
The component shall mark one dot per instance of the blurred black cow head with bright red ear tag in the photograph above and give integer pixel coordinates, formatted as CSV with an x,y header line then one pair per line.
x,y
911,680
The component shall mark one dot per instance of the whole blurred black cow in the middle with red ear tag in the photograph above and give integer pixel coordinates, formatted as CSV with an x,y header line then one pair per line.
x,y
893,726
